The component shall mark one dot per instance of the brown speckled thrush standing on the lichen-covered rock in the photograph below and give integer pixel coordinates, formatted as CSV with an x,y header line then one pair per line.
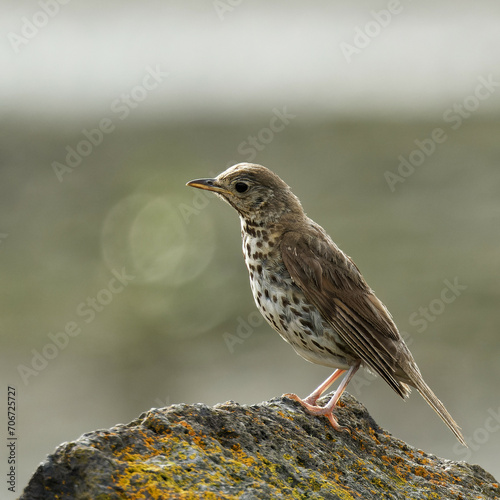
x,y
313,294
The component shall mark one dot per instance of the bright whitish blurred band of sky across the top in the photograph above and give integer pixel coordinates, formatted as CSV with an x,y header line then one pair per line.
x,y
258,56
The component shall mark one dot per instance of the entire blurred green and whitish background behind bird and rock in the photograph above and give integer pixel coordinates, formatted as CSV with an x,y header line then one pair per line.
x,y
125,290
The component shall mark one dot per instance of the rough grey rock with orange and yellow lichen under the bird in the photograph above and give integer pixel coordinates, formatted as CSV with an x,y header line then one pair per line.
x,y
268,451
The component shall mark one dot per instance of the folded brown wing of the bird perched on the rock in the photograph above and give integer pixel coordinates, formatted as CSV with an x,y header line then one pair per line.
x,y
333,283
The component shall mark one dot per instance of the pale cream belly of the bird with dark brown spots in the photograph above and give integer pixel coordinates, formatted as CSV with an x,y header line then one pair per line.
x,y
299,323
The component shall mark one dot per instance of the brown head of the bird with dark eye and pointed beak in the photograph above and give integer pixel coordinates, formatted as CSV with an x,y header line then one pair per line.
x,y
254,191
